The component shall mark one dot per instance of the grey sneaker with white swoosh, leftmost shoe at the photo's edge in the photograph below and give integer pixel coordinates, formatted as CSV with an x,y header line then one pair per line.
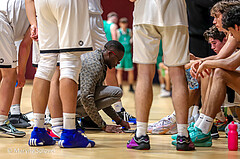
x,y
10,131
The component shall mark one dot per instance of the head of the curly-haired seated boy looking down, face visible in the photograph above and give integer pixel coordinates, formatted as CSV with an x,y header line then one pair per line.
x,y
216,38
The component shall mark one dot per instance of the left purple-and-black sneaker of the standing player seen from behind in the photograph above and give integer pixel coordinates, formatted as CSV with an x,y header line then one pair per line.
x,y
141,143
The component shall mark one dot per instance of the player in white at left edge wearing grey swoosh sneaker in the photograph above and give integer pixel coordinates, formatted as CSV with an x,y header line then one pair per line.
x,y
14,26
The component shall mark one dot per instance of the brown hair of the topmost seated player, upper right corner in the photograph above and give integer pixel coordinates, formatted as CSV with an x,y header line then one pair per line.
x,y
223,6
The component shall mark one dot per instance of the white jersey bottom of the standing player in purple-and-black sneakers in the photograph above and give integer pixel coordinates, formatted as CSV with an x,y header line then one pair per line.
x,y
160,12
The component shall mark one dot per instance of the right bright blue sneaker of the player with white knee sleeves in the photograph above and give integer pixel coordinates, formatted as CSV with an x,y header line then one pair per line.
x,y
74,138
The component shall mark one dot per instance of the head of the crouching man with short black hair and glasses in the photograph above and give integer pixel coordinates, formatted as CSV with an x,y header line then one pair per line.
x,y
113,53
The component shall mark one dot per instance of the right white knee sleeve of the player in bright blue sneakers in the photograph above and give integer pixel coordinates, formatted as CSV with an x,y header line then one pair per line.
x,y
70,66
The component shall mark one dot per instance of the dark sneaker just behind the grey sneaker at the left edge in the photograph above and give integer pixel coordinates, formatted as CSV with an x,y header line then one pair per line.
x,y
19,121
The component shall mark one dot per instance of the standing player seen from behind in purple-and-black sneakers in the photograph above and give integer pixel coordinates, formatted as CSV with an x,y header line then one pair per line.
x,y
155,20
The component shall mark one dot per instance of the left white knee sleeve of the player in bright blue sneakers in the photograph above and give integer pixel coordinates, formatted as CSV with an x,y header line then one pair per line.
x,y
46,66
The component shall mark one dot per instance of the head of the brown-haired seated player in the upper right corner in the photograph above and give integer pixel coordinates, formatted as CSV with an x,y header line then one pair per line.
x,y
219,8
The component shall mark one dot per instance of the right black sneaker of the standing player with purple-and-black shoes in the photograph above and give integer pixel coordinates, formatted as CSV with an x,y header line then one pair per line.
x,y
184,144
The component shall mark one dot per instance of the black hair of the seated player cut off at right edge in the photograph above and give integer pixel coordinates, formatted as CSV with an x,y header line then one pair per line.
x,y
231,17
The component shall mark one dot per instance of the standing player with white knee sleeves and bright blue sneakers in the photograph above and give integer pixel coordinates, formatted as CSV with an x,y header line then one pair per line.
x,y
59,32
